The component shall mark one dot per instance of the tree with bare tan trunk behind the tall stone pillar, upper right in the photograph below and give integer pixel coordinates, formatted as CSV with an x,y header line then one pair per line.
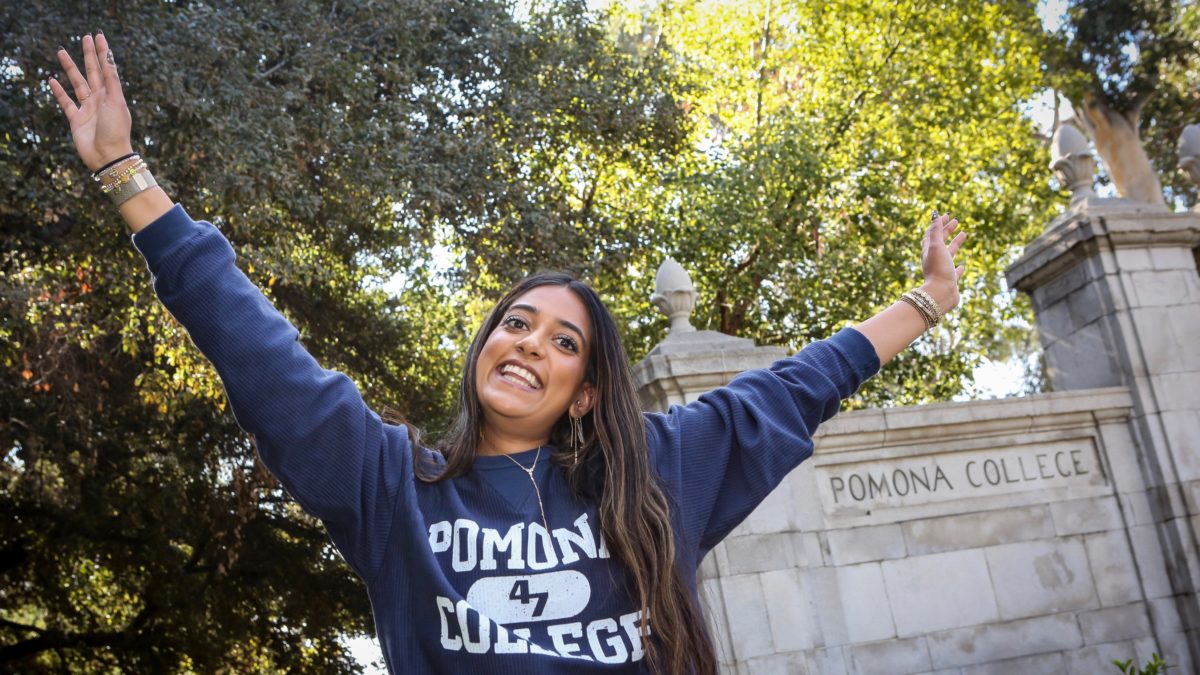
x,y
1130,69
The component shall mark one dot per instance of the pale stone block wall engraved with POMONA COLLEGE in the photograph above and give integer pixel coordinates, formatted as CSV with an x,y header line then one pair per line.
x,y
980,537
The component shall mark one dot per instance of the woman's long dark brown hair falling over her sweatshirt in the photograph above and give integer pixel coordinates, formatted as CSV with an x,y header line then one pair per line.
x,y
614,471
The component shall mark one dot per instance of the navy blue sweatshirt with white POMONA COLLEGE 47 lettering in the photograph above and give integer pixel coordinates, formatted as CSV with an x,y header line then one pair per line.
x,y
463,575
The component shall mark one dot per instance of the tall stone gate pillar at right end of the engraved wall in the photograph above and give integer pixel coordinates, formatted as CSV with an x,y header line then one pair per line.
x,y
1117,295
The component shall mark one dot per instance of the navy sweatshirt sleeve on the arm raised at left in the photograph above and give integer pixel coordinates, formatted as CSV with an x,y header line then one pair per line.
x,y
311,426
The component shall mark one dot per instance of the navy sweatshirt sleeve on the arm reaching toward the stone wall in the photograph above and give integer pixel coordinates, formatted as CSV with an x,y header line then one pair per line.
x,y
724,453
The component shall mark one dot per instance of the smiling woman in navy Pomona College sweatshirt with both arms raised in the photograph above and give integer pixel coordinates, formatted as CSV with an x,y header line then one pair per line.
x,y
559,529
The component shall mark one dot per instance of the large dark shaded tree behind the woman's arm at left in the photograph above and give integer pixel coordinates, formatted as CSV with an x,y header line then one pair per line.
x,y
332,144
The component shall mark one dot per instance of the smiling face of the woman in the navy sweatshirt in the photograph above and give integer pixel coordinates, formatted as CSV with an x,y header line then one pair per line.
x,y
532,367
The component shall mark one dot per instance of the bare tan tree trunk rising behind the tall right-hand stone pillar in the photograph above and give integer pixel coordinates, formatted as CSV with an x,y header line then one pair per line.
x,y
1119,145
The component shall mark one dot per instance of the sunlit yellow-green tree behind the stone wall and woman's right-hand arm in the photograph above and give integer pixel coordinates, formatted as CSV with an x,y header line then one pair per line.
x,y
824,135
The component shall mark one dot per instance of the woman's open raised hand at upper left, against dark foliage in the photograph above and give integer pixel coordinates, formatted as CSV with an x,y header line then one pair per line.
x,y
101,123
